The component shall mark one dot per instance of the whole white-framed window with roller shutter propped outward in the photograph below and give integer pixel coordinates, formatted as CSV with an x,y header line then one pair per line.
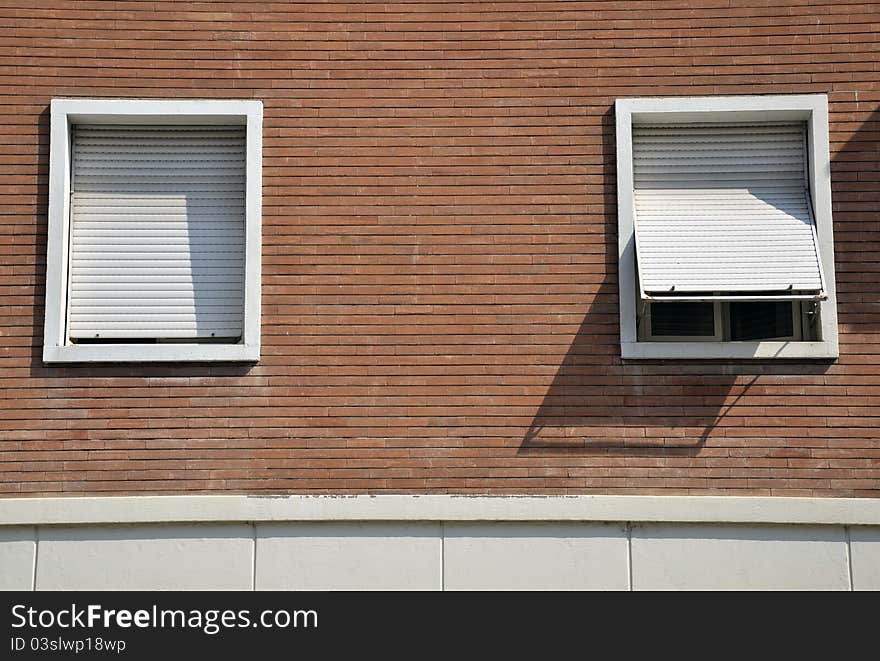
x,y
725,236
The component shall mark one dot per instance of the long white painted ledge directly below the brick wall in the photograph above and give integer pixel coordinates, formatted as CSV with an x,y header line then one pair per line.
x,y
213,509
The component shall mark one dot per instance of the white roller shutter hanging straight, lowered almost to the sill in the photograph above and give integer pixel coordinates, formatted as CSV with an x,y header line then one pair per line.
x,y
157,232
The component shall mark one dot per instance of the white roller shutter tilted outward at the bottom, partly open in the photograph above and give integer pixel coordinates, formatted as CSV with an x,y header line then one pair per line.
x,y
723,210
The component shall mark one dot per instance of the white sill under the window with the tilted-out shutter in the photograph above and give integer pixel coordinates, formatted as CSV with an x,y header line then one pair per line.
x,y
728,350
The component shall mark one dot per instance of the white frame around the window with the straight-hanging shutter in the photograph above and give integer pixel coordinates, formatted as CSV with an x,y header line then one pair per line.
x,y
57,347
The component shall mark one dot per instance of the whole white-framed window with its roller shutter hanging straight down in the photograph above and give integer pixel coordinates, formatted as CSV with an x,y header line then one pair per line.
x,y
154,231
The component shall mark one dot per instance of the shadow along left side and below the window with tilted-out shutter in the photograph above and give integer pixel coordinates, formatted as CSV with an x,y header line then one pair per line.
x,y
598,403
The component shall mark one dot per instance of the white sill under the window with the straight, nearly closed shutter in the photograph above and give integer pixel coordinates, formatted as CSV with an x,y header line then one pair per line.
x,y
152,353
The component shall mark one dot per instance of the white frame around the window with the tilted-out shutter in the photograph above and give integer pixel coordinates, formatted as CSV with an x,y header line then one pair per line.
x,y
810,108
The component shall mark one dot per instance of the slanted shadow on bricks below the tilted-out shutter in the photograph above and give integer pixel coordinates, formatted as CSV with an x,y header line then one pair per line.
x,y
598,402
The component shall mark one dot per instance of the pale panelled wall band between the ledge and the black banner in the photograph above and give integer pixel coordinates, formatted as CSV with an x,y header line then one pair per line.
x,y
433,556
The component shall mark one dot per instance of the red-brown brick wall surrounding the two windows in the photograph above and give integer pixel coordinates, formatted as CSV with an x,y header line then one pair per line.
x,y
439,260
